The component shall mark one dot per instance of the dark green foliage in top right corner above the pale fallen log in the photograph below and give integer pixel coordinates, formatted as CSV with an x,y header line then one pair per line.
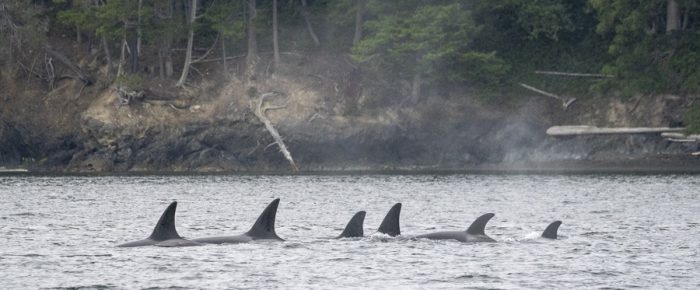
x,y
645,57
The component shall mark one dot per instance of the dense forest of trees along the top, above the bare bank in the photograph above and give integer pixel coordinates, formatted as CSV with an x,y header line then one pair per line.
x,y
648,46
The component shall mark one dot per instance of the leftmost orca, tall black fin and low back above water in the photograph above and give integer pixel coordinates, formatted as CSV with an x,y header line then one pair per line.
x,y
164,234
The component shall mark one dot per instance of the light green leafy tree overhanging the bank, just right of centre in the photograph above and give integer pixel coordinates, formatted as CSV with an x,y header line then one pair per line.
x,y
433,40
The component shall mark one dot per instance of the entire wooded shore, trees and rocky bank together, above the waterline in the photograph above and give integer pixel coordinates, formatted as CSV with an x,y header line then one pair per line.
x,y
358,85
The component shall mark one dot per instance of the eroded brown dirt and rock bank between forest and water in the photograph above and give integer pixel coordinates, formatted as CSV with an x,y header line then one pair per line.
x,y
332,117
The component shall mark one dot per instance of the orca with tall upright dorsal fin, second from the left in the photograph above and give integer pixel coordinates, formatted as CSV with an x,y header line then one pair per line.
x,y
263,229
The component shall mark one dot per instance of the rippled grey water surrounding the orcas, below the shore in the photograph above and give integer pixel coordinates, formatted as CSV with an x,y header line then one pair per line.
x,y
619,231
